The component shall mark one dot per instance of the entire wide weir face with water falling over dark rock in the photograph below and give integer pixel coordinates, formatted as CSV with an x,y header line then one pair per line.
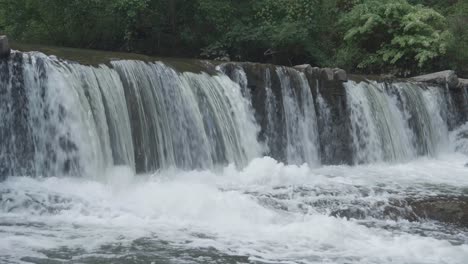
x,y
63,118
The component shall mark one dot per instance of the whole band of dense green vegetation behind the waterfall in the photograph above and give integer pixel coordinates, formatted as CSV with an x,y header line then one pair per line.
x,y
397,36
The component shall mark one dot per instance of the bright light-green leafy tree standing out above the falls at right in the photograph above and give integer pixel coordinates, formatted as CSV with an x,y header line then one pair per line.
x,y
392,35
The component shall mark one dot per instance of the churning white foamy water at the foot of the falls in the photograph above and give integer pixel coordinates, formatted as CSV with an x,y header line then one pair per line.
x,y
268,212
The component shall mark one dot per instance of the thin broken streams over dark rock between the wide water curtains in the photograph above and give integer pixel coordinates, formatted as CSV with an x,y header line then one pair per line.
x,y
285,111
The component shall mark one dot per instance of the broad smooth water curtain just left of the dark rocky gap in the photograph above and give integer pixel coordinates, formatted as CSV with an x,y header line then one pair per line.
x,y
186,120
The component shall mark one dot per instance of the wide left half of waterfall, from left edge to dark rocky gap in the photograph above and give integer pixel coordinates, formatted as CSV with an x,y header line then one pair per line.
x,y
63,118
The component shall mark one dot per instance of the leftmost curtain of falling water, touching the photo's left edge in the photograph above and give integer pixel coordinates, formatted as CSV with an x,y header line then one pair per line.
x,y
52,118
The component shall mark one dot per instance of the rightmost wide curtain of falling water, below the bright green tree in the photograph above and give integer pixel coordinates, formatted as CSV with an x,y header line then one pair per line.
x,y
395,122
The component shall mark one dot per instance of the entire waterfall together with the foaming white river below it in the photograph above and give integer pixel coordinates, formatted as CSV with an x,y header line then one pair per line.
x,y
142,163
